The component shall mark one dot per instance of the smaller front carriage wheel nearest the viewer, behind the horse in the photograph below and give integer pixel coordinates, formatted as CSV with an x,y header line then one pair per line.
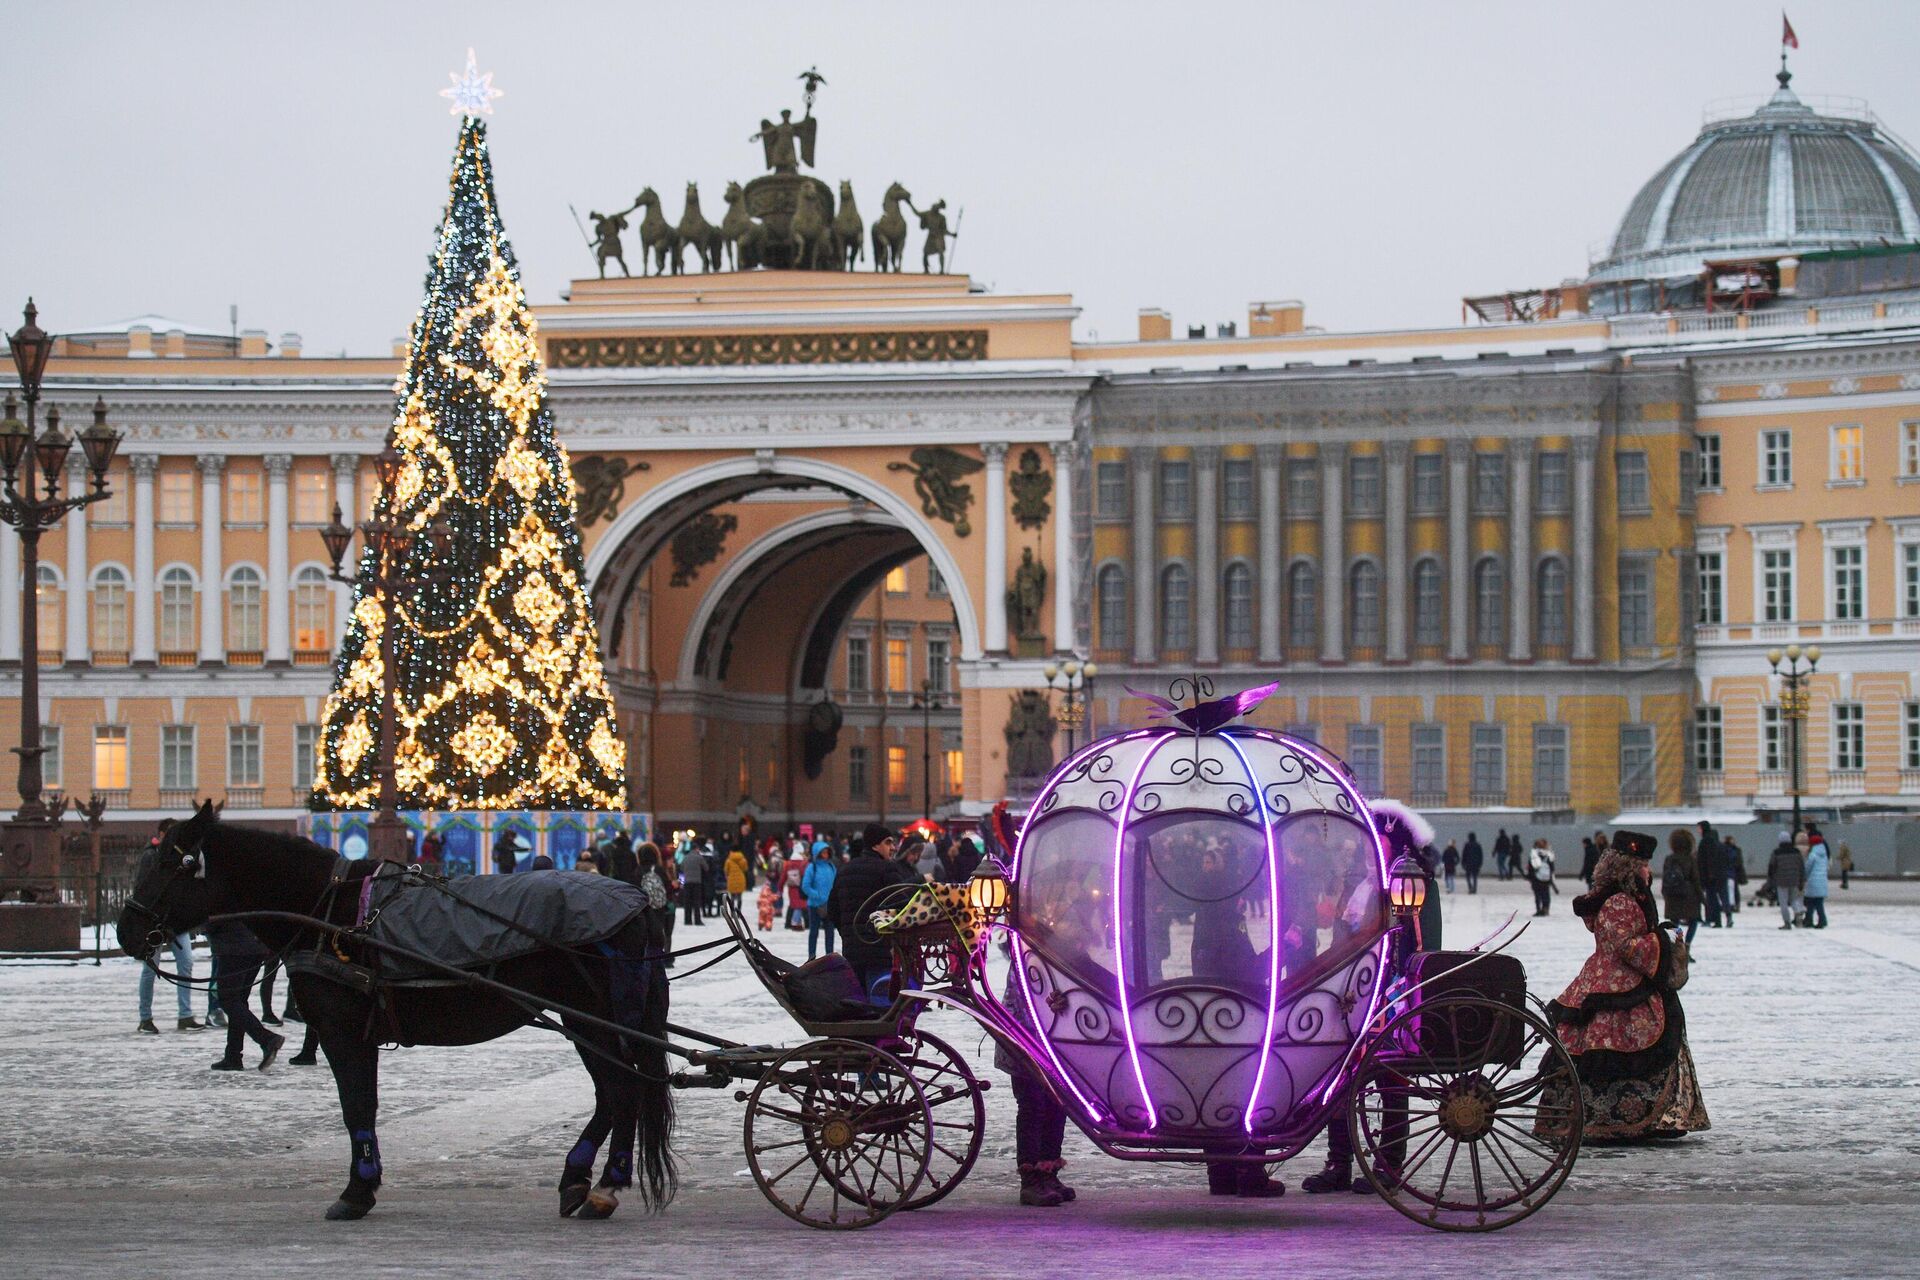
x,y
838,1135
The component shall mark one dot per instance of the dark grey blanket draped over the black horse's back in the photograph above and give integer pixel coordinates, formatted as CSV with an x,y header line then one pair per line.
x,y
481,920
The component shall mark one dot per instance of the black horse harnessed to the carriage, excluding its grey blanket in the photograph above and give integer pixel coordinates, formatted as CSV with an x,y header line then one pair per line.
x,y
208,868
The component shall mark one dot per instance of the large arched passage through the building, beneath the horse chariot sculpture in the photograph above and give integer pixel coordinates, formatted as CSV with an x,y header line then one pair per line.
x,y
786,652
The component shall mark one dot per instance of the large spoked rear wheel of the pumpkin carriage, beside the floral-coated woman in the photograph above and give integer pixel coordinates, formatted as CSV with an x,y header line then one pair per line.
x,y
1468,1114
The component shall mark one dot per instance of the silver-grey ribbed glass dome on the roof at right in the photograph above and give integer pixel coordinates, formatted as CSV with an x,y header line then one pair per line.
x,y
1779,181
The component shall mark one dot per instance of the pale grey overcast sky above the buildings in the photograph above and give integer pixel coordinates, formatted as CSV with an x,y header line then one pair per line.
x,y
1374,160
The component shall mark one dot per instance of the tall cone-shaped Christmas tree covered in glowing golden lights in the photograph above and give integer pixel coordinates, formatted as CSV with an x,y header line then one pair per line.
x,y
502,699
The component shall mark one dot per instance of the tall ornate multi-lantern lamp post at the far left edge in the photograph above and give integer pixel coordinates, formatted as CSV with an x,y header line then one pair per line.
x,y
36,463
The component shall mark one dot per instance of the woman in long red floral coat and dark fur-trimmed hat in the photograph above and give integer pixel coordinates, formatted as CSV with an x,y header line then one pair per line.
x,y
1621,1018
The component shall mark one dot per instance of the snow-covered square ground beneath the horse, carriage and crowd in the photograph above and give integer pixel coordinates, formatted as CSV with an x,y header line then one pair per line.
x,y
124,1156
